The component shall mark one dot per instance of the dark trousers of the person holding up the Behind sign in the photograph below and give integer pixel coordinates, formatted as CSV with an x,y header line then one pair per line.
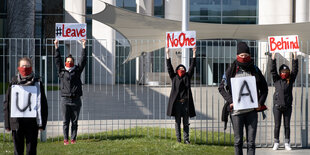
x,y
278,113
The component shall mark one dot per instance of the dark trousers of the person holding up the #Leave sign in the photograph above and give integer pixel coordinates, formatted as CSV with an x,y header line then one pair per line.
x,y
70,111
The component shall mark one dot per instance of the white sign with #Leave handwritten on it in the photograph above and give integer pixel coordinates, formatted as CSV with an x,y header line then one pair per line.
x,y
70,31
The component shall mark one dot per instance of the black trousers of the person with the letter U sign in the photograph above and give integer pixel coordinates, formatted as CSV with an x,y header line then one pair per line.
x,y
27,130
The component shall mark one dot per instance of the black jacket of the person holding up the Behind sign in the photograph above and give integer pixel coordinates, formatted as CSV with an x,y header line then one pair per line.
x,y
283,93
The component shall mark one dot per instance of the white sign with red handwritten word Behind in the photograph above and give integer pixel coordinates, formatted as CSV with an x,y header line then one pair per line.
x,y
283,43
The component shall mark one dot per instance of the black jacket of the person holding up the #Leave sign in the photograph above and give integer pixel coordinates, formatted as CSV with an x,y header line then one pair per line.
x,y
70,82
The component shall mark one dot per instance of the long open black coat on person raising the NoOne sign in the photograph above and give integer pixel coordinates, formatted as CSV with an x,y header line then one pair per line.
x,y
175,81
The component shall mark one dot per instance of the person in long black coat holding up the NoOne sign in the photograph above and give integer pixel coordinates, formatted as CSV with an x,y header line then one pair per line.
x,y
181,102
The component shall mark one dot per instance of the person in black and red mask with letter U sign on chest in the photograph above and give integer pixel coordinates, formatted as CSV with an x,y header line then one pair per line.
x,y
25,127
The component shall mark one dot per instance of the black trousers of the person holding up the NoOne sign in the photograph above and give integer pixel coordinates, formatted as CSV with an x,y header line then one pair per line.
x,y
181,111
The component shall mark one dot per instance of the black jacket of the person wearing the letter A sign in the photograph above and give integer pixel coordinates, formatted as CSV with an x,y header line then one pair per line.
x,y
225,88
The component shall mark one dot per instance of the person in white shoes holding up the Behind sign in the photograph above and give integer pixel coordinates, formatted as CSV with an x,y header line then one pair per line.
x,y
282,98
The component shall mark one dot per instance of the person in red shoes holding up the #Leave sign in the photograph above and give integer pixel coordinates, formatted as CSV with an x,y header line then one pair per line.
x,y
71,90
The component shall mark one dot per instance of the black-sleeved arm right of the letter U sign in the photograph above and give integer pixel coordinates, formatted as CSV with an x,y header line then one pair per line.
x,y
44,107
